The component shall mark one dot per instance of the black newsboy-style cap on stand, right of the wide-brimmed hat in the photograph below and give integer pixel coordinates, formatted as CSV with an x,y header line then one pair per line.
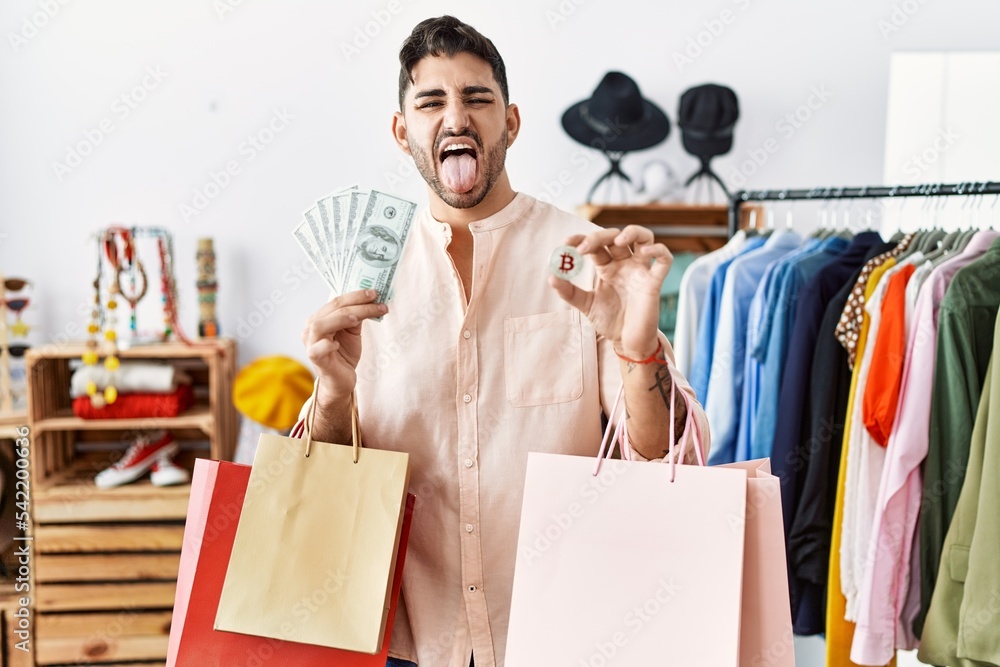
x,y
706,117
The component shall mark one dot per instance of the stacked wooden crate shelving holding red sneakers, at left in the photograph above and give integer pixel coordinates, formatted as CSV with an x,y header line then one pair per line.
x,y
105,560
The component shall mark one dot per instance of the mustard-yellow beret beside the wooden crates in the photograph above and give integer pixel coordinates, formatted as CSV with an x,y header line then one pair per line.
x,y
271,390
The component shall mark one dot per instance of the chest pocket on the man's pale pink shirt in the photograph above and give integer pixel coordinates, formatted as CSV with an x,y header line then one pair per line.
x,y
543,358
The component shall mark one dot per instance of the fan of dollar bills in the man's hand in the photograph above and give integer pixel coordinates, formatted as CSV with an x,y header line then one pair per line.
x,y
355,239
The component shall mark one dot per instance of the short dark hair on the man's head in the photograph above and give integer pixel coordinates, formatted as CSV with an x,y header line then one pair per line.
x,y
447,36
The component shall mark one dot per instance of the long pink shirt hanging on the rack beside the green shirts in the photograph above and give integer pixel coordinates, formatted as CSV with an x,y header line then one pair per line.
x,y
890,594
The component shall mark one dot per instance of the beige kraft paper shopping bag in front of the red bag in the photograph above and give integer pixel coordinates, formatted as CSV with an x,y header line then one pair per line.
x,y
316,545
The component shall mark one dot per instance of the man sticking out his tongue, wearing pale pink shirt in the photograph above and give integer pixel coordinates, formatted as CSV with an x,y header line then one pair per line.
x,y
478,361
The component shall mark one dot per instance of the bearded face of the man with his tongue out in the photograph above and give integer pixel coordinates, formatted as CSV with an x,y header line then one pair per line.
x,y
455,125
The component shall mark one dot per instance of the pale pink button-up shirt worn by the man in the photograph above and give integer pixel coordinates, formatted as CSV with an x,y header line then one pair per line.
x,y
468,390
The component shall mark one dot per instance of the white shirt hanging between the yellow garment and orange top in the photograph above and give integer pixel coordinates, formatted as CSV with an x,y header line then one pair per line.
x,y
864,462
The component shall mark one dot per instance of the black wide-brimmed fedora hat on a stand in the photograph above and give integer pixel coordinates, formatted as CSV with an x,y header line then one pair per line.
x,y
616,118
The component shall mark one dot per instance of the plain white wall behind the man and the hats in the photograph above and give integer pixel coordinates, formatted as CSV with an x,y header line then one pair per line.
x,y
228,68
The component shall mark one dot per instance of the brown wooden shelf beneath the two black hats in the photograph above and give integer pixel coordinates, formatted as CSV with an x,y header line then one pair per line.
x,y
681,227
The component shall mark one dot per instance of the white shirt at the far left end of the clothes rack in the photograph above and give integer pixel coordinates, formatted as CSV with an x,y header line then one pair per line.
x,y
693,295
